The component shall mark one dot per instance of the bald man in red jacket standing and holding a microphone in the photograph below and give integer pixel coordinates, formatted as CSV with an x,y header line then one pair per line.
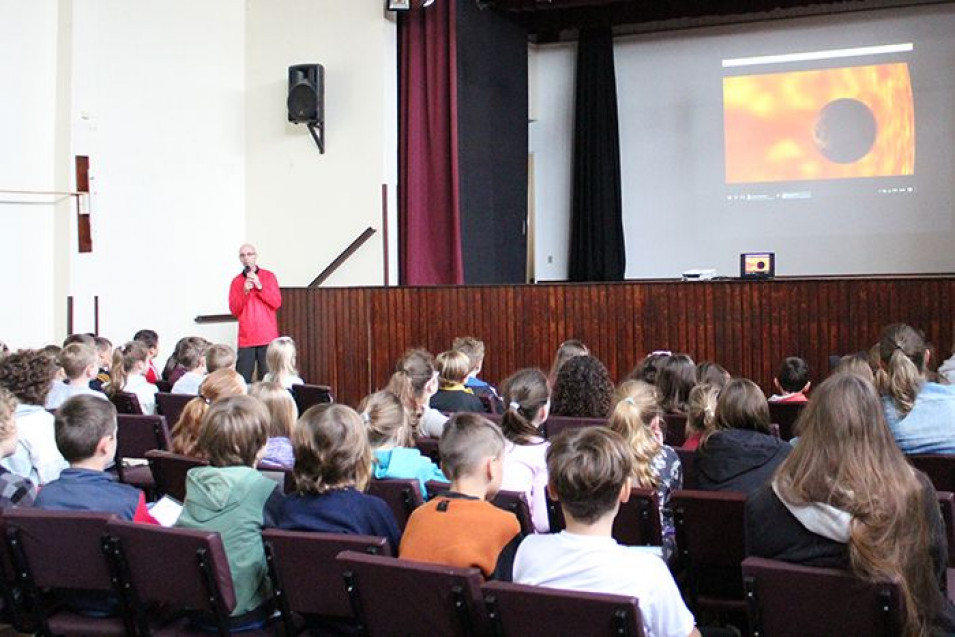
x,y
254,297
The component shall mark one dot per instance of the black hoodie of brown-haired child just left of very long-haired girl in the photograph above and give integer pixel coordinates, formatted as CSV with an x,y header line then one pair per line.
x,y
738,460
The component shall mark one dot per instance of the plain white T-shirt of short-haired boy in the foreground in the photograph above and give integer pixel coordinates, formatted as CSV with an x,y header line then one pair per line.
x,y
597,564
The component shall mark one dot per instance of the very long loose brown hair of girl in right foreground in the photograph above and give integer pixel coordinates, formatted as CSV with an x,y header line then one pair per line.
x,y
847,458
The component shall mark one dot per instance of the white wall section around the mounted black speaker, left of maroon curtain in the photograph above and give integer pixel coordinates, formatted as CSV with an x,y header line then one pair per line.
x,y
303,207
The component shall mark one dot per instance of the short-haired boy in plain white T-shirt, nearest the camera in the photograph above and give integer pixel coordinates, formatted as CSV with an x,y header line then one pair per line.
x,y
590,471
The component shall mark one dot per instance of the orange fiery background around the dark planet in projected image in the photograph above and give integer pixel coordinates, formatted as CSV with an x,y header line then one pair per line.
x,y
769,122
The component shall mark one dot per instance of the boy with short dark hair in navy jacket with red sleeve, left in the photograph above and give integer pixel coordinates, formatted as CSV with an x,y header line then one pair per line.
x,y
86,436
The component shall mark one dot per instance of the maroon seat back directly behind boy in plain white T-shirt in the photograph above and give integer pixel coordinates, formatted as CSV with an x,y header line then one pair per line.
x,y
519,609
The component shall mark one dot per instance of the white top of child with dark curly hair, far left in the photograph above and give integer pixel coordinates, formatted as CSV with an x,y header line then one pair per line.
x,y
36,457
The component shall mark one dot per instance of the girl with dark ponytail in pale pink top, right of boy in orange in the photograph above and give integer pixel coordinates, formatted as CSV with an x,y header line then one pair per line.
x,y
527,397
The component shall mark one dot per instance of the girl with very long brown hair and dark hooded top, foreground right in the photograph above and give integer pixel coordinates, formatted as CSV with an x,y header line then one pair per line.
x,y
847,498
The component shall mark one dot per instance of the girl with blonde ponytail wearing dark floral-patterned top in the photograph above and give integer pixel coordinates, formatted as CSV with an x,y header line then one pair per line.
x,y
655,465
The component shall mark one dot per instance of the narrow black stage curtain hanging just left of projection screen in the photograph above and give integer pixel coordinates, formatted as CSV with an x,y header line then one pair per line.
x,y
597,251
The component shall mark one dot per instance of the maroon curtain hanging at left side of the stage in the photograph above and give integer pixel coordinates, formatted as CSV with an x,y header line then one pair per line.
x,y
429,218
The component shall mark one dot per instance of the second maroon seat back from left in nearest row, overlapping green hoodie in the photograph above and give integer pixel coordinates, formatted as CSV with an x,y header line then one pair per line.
x,y
185,568
